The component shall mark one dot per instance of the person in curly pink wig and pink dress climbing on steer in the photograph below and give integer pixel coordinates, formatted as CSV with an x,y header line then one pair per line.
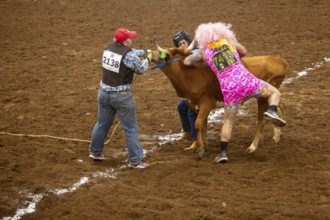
x,y
220,49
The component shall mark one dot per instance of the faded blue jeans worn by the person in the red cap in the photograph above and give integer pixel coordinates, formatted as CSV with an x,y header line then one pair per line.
x,y
110,104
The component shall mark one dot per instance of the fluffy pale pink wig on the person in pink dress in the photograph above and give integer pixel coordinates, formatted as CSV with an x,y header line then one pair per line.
x,y
211,32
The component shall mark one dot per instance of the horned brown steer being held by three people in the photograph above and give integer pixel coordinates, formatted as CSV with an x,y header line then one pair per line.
x,y
199,85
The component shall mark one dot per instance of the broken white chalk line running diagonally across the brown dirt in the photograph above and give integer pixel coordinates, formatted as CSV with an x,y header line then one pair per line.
x,y
30,206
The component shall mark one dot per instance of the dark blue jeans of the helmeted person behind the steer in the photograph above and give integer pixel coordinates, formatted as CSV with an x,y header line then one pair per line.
x,y
188,118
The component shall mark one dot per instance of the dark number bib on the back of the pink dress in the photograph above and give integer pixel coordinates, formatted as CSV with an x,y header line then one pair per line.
x,y
223,58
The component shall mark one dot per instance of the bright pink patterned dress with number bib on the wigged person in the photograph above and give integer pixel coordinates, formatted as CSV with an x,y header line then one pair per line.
x,y
235,80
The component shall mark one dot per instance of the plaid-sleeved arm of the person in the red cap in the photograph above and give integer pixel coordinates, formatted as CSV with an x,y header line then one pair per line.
x,y
133,62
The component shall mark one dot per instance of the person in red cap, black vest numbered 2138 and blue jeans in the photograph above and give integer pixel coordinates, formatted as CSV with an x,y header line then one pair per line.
x,y
119,63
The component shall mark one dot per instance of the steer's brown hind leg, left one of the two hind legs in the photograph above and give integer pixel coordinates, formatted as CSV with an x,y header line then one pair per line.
x,y
262,107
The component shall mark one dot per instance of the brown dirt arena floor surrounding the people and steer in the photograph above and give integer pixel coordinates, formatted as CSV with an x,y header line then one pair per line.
x,y
50,70
